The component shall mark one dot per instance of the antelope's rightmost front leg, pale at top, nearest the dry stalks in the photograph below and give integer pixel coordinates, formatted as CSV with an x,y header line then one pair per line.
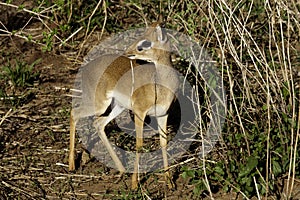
x,y
162,128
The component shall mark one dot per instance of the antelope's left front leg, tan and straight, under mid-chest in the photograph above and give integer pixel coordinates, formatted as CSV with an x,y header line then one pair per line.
x,y
139,123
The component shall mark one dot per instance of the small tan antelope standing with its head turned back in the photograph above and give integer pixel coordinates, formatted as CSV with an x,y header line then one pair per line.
x,y
120,81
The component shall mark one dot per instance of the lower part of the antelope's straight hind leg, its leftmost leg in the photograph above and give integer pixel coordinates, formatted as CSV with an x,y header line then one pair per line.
x,y
72,143
